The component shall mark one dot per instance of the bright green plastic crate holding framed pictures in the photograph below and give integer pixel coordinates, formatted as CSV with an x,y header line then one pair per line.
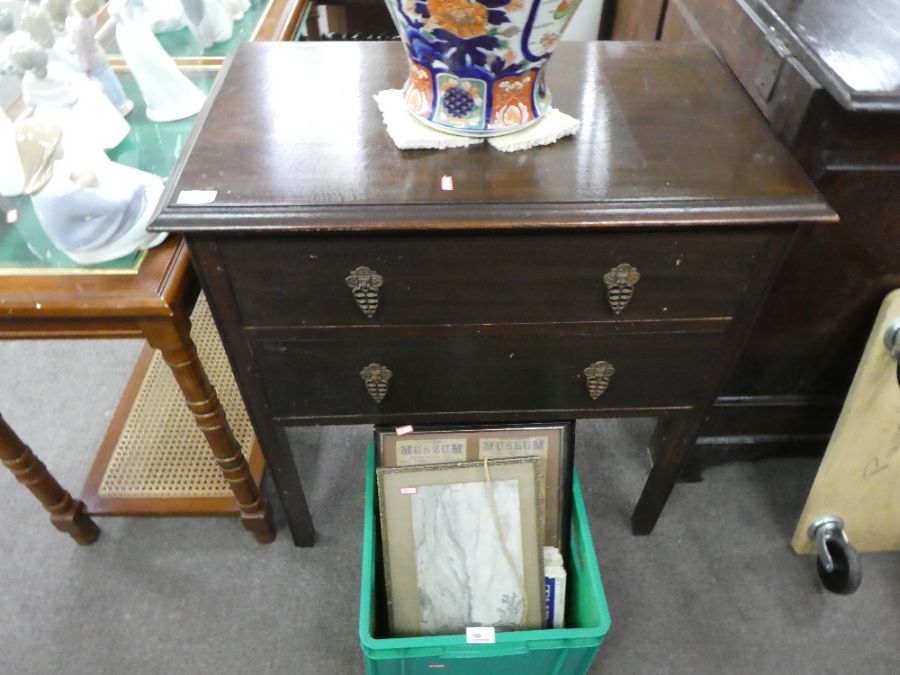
x,y
565,651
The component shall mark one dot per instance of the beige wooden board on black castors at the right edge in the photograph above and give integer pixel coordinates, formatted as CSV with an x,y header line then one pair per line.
x,y
859,478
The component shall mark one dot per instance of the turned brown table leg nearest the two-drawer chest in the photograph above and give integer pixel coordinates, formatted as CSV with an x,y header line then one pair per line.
x,y
173,339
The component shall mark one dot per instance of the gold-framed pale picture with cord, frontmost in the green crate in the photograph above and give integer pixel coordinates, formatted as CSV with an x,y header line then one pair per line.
x,y
461,546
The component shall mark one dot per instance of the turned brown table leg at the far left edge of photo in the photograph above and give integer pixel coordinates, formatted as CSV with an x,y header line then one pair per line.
x,y
66,514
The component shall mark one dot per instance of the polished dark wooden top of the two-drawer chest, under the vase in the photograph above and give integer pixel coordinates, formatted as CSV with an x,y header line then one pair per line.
x,y
294,141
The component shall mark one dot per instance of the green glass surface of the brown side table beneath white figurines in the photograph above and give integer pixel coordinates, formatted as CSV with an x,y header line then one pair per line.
x,y
25,249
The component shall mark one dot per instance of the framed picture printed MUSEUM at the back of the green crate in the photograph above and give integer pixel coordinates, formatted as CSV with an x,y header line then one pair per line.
x,y
552,443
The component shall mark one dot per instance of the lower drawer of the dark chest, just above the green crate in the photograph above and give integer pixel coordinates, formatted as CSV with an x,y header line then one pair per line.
x,y
329,378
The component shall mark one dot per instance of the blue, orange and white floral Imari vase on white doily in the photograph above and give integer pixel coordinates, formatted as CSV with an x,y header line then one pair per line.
x,y
476,67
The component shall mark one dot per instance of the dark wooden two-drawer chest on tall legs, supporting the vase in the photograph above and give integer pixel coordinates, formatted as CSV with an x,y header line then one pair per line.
x,y
349,287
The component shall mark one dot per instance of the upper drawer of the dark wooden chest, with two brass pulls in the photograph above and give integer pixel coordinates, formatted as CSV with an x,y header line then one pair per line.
x,y
508,278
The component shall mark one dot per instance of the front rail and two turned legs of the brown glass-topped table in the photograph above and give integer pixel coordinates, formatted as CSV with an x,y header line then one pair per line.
x,y
153,302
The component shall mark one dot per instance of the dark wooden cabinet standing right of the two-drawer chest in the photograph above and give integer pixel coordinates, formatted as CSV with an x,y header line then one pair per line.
x,y
826,75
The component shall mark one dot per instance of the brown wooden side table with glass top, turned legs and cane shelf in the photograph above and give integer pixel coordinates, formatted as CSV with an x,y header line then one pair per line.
x,y
151,296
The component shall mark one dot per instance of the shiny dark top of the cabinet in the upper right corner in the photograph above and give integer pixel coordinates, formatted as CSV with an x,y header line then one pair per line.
x,y
852,47
